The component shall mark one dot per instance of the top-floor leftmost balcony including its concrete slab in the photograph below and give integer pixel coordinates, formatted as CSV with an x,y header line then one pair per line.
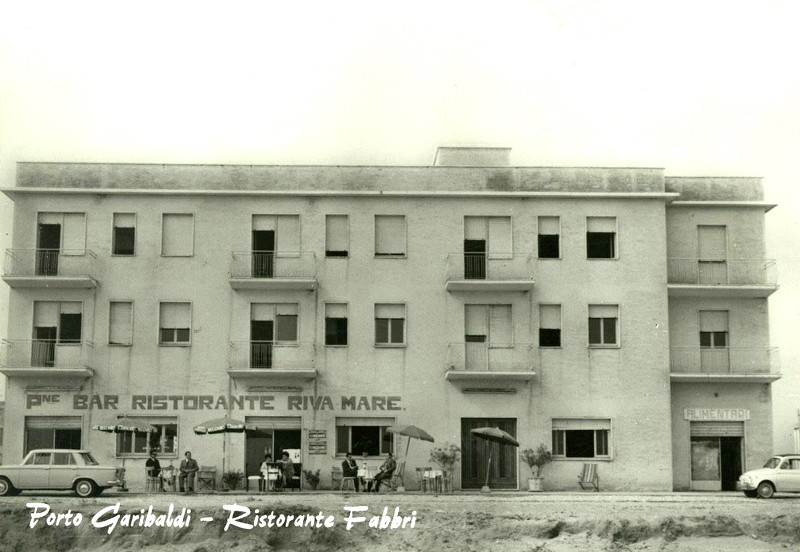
x,y
50,268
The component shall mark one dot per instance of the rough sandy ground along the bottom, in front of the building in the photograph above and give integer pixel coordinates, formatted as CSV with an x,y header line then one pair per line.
x,y
511,522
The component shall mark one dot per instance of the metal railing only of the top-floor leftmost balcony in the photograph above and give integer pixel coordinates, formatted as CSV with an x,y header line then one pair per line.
x,y
50,262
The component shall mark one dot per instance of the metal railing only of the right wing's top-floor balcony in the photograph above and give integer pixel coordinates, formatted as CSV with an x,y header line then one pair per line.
x,y
723,272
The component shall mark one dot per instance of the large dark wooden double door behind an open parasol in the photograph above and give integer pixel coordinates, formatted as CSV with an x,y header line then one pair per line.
x,y
475,455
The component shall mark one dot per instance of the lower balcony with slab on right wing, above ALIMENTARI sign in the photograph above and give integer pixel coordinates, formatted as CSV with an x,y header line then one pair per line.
x,y
724,365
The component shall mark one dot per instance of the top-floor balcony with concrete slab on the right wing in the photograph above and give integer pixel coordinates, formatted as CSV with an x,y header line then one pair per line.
x,y
722,278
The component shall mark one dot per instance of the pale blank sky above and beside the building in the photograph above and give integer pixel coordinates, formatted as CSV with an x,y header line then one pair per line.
x,y
699,88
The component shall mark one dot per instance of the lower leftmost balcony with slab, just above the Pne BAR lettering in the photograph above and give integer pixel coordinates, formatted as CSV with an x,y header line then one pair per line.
x,y
46,358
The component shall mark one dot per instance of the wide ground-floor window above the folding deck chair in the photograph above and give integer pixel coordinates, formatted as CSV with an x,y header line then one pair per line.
x,y
581,438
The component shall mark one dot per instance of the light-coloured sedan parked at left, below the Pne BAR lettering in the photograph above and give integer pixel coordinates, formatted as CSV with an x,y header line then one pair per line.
x,y
60,470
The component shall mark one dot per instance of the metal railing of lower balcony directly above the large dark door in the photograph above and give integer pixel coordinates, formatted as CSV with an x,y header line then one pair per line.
x,y
490,357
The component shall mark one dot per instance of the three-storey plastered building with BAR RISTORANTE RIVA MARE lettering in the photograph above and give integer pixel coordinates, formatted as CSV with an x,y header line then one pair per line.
x,y
615,314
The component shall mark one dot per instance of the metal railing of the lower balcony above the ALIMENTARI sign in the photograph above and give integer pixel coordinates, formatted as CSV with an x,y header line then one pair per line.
x,y
724,360
